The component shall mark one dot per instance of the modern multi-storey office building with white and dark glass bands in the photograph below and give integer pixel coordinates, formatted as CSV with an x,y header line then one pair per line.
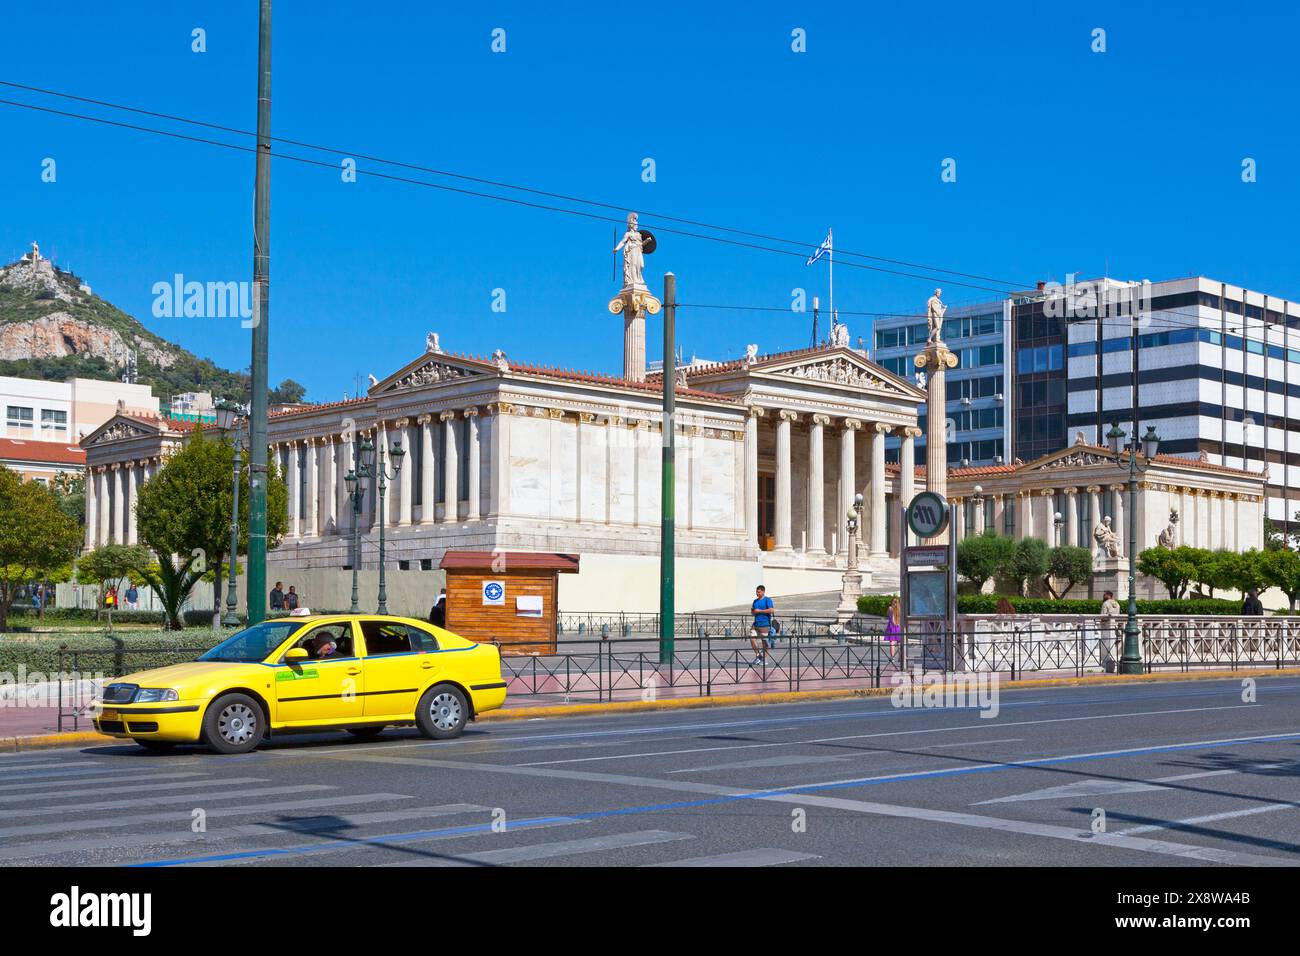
x,y
1219,374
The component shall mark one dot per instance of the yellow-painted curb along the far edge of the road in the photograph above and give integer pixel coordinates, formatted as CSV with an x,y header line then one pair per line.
x,y
16,745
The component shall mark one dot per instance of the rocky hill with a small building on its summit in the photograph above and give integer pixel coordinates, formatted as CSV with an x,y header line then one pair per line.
x,y
54,327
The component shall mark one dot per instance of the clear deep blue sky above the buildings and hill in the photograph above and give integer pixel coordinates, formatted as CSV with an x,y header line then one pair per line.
x,y
1068,161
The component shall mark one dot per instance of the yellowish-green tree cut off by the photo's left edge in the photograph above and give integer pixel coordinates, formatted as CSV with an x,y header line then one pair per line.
x,y
36,537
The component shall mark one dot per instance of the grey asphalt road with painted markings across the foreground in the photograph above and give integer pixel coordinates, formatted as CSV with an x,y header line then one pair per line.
x,y
1186,775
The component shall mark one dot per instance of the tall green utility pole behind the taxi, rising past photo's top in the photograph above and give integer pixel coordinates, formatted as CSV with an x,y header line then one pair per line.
x,y
257,577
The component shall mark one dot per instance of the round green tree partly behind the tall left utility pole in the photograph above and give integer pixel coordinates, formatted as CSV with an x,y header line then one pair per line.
x,y
185,509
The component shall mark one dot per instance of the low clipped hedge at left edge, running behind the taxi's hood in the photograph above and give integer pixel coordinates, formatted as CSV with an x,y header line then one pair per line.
x,y
98,652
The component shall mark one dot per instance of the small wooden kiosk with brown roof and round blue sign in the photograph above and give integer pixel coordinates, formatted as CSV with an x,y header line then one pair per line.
x,y
509,598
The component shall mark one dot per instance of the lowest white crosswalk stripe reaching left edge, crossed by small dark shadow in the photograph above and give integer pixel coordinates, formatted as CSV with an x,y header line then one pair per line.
x,y
289,828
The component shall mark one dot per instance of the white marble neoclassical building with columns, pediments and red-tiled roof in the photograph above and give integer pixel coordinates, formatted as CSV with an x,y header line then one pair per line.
x,y
772,451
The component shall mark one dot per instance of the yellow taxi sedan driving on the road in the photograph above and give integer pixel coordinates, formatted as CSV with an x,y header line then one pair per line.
x,y
350,672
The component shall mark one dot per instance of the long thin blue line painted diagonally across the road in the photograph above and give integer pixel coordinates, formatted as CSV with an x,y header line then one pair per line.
x,y
718,802
